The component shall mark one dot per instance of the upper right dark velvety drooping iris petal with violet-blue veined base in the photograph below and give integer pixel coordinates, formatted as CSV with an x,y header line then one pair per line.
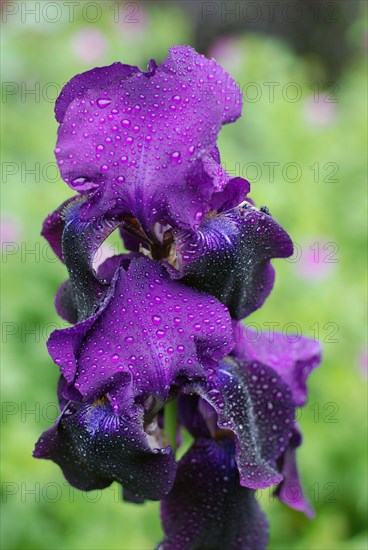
x,y
229,257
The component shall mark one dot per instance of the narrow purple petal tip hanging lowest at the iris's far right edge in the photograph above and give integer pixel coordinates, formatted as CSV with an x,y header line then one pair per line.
x,y
290,490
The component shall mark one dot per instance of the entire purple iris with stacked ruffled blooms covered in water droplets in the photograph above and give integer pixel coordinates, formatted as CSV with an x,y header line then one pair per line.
x,y
161,324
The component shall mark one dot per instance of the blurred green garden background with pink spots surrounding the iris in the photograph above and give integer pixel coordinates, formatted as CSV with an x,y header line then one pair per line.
x,y
312,130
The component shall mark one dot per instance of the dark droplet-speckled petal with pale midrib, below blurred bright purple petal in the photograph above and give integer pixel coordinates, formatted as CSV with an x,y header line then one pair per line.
x,y
254,403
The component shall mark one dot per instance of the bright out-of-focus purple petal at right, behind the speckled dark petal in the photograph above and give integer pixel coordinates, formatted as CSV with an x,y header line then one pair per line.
x,y
293,357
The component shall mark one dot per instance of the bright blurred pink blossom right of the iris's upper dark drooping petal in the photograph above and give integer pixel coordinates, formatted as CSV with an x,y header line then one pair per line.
x,y
316,260
